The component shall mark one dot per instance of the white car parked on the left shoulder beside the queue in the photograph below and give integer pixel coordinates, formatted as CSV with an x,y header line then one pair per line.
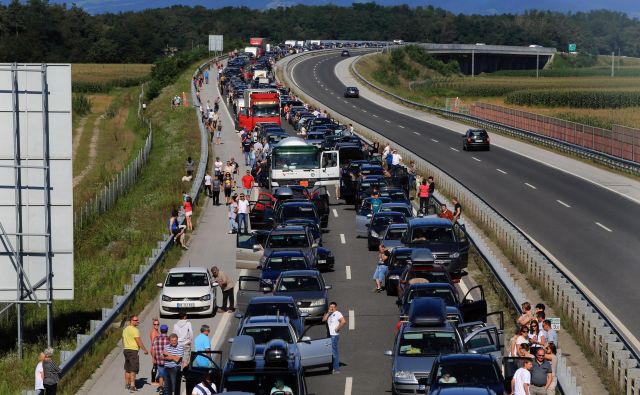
x,y
188,289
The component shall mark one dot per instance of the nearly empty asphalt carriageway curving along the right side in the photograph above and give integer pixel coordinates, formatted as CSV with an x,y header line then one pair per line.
x,y
594,232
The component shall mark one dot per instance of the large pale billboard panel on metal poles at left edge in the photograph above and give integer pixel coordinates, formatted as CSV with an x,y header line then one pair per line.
x,y
35,151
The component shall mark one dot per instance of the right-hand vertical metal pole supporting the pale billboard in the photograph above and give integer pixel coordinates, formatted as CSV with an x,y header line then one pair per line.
x,y
47,205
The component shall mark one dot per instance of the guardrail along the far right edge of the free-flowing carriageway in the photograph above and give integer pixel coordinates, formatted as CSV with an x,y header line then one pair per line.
x,y
598,156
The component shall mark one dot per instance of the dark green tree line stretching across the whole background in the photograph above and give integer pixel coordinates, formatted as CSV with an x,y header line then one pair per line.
x,y
37,31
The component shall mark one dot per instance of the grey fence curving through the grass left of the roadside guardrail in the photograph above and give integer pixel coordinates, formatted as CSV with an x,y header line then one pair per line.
x,y
106,198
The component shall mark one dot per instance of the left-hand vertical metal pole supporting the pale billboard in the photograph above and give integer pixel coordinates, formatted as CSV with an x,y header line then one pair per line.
x,y
18,198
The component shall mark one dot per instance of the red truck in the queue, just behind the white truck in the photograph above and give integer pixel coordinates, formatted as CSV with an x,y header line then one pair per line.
x,y
261,106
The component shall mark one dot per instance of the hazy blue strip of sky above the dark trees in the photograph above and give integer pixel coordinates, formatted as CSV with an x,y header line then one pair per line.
x,y
631,7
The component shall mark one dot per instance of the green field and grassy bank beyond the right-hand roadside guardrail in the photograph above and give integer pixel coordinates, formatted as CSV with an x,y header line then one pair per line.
x,y
592,90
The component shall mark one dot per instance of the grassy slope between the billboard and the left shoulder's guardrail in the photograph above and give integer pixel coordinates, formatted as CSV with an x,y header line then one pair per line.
x,y
109,250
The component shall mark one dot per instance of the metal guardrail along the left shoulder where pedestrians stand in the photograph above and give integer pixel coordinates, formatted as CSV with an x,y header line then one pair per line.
x,y
97,328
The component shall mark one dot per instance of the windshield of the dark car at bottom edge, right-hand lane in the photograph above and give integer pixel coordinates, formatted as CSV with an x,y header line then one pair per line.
x,y
467,373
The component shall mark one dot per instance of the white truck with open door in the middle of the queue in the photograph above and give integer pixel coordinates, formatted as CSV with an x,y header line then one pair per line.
x,y
295,162
